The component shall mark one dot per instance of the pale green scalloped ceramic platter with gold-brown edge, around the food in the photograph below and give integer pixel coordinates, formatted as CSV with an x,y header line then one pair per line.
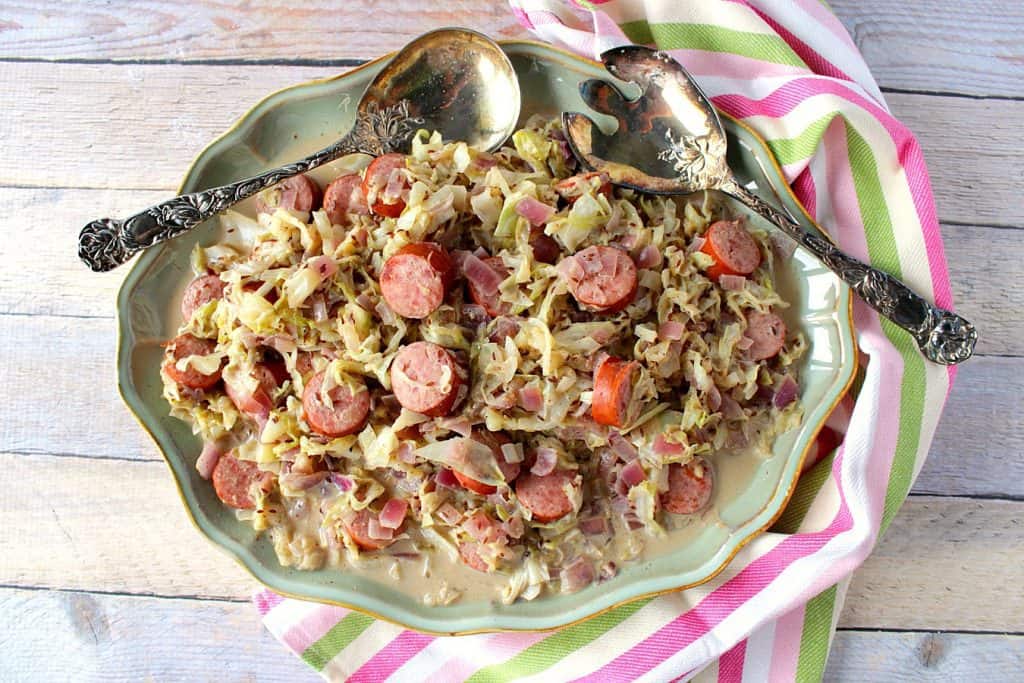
x,y
296,121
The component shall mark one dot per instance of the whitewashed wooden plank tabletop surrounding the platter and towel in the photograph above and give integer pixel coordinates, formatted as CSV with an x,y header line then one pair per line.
x,y
105,106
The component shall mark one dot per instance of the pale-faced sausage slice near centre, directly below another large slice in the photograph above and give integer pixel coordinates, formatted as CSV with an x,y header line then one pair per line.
x,y
426,378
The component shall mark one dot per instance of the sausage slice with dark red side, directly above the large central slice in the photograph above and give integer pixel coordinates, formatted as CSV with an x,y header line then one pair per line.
x,y
416,279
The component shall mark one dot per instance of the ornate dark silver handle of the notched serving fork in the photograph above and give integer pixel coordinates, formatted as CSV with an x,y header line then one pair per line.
x,y
943,336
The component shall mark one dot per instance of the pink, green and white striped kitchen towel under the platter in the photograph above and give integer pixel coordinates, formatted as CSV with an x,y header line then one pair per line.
x,y
789,70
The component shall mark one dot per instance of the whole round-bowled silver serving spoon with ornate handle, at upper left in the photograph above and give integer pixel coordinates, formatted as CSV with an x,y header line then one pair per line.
x,y
455,81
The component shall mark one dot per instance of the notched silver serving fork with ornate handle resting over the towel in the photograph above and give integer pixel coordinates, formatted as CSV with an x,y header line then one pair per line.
x,y
670,141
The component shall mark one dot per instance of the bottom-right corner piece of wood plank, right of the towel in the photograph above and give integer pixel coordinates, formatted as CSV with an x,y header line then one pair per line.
x,y
919,658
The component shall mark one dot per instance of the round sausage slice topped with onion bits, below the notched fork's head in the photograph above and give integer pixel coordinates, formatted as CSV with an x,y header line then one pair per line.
x,y
602,279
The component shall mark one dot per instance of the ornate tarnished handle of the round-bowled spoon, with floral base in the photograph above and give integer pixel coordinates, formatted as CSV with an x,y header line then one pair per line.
x,y
108,243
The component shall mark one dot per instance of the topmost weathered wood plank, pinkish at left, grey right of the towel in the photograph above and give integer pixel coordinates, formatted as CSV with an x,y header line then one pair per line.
x,y
900,40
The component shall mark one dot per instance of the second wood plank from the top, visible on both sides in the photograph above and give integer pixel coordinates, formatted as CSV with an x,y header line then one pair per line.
x,y
164,115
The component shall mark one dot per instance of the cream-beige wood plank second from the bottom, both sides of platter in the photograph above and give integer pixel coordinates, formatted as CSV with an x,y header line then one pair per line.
x,y
79,514
